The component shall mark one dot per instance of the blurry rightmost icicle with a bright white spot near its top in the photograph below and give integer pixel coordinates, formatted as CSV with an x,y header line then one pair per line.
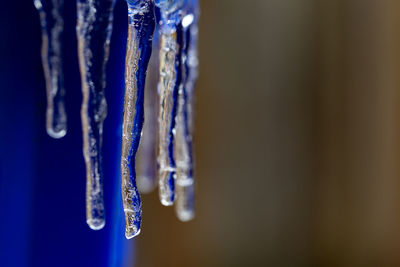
x,y
184,128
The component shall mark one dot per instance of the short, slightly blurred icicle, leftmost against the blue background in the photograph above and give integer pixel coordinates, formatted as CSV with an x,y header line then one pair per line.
x,y
52,24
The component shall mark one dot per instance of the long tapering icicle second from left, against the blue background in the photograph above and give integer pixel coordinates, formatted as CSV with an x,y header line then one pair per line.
x,y
94,32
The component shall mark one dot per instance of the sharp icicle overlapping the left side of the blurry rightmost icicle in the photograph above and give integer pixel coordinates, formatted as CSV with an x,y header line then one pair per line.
x,y
170,80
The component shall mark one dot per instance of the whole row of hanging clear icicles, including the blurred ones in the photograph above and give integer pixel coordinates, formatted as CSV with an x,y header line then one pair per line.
x,y
167,136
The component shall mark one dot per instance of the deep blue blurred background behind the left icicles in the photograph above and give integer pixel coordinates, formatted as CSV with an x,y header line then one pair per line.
x,y
42,180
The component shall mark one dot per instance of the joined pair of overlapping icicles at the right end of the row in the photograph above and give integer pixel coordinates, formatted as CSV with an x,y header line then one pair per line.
x,y
178,72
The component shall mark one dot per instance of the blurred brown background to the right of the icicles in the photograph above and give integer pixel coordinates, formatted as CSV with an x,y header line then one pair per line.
x,y
297,143
